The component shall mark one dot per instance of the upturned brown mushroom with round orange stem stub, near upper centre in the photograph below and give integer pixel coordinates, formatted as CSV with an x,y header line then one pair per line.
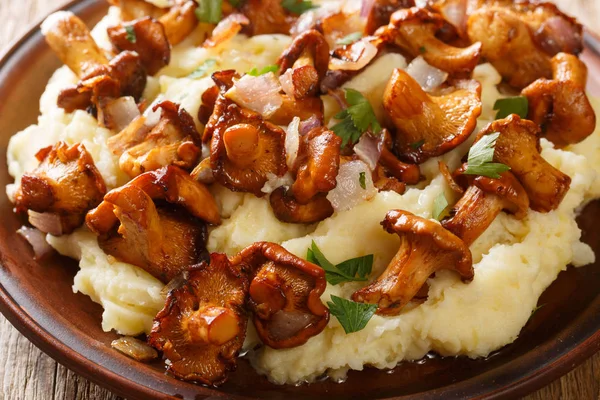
x,y
245,148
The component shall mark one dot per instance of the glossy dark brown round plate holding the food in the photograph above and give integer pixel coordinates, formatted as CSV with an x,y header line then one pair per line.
x,y
38,300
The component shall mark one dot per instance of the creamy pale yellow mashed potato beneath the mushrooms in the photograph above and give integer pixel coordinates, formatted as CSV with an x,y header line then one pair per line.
x,y
515,261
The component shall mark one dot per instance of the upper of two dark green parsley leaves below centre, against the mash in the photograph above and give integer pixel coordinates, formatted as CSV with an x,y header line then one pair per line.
x,y
355,269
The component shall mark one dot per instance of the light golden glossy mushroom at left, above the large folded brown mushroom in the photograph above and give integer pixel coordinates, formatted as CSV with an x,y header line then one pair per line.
x,y
174,140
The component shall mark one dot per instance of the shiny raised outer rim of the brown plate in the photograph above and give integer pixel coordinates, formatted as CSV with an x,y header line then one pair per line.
x,y
65,355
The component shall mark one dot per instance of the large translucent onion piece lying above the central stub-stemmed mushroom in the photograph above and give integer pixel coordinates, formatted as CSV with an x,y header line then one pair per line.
x,y
258,93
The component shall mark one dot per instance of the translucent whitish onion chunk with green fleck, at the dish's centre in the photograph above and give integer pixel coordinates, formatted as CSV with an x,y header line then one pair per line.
x,y
348,193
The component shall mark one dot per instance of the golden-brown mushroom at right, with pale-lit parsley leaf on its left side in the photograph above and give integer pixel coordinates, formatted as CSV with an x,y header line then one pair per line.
x,y
518,146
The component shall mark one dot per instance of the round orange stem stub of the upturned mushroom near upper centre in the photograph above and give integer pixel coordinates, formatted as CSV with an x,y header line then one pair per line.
x,y
241,144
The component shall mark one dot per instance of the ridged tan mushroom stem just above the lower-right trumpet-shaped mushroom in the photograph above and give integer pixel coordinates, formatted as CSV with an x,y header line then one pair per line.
x,y
475,212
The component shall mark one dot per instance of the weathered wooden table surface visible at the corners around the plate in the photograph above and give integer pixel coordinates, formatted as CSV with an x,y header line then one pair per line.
x,y
27,373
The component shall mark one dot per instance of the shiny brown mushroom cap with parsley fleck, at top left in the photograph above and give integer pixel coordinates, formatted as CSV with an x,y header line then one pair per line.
x,y
150,42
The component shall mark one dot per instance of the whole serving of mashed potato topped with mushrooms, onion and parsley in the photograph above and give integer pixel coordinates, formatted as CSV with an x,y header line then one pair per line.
x,y
284,181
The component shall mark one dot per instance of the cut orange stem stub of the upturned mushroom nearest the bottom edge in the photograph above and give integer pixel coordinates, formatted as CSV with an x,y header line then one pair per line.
x,y
213,325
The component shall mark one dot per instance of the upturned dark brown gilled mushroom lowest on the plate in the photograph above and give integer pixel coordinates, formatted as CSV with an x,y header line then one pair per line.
x,y
202,327
